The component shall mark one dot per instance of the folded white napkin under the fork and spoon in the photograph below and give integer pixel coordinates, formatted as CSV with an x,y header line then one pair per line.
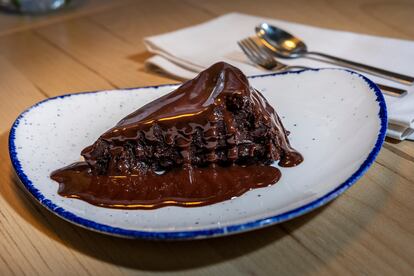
x,y
186,52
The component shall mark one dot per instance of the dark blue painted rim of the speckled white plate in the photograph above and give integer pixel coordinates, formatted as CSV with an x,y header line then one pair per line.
x,y
214,232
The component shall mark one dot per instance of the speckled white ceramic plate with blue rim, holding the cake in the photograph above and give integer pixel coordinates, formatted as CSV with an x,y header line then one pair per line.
x,y
337,120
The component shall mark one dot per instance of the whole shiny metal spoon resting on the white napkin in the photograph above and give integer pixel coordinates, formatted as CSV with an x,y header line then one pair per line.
x,y
285,45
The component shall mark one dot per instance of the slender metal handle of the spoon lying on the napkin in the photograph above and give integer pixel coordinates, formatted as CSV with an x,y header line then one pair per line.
x,y
404,79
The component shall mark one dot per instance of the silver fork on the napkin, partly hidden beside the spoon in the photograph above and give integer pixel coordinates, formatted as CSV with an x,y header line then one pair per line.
x,y
261,56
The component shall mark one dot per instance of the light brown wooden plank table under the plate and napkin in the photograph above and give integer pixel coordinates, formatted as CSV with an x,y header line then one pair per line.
x,y
98,45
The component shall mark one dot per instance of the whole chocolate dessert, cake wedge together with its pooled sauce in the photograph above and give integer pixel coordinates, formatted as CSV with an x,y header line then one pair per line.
x,y
213,136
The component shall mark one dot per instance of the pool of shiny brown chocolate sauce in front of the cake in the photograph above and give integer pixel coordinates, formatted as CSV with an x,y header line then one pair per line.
x,y
188,186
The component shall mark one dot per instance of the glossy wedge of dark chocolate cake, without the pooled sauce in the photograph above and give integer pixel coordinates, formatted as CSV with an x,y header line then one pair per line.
x,y
216,118
